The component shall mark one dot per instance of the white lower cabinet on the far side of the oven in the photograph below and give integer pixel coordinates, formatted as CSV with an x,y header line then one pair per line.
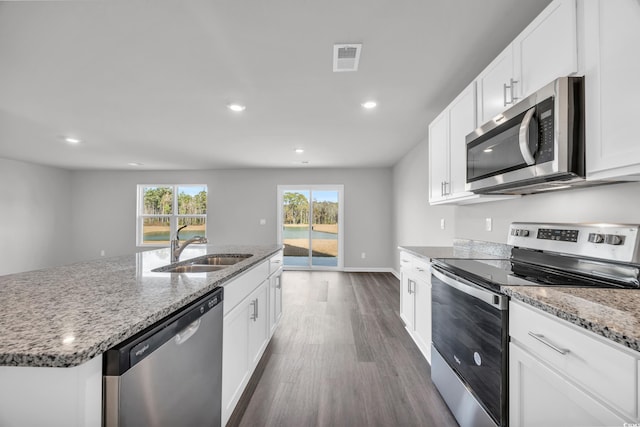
x,y
415,300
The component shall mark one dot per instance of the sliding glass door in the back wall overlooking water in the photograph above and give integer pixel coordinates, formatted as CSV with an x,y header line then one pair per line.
x,y
311,226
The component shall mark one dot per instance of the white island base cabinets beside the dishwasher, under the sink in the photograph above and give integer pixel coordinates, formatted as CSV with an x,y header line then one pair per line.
x,y
253,312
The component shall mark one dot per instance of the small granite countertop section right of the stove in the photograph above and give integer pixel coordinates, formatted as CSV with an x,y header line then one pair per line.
x,y
611,313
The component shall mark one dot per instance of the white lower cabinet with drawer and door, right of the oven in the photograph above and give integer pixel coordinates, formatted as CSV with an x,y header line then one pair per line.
x,y
561,375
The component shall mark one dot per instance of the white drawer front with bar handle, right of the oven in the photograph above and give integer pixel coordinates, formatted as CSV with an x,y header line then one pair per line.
x,y
603,369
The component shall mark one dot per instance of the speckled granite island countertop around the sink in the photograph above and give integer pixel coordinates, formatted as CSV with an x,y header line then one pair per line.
x,y
64,316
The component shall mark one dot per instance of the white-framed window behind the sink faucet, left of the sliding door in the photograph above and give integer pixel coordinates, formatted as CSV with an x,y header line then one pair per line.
x,y
164,208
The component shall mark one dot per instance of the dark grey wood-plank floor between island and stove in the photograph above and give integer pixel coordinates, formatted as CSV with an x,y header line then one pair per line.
x,y
341,357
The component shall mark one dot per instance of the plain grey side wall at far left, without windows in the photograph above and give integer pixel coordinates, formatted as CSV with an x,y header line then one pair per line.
x,y
35,216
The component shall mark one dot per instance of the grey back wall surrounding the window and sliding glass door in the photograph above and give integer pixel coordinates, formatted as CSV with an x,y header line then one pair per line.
x,y
238,199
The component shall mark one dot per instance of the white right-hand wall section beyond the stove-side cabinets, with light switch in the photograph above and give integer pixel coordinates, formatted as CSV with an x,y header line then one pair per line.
x,y
416,223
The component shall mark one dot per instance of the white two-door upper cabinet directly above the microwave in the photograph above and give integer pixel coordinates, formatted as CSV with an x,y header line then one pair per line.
x,y
544,51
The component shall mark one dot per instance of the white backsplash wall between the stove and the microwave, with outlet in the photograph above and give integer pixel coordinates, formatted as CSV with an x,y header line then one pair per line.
x,y
609,203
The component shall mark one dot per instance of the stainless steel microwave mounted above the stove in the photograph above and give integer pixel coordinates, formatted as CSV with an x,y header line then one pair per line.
x,y
536,145
